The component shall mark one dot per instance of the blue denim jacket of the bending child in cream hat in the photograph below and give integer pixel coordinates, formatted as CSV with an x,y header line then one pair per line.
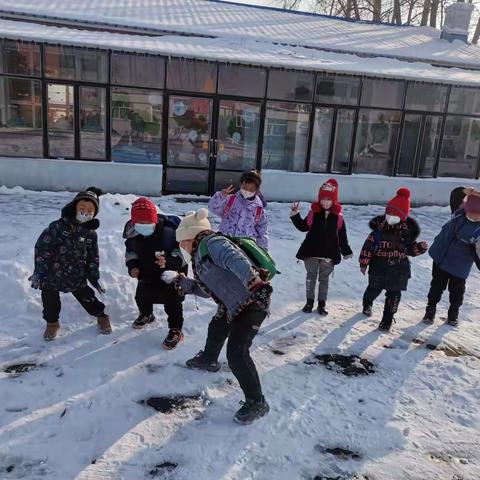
x,y
225,272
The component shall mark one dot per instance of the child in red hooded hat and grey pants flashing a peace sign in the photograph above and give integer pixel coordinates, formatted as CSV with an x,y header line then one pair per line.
x,y
325,243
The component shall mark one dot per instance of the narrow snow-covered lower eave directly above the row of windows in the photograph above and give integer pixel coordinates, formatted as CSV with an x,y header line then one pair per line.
x,y
243,51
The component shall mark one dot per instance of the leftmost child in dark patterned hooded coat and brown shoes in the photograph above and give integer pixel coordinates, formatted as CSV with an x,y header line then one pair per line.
x,y
66,256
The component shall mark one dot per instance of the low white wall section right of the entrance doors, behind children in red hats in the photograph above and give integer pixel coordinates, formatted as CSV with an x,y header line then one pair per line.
x,y
359,189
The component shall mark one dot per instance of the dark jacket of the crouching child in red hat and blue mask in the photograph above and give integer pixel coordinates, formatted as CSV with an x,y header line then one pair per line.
x,y
140,250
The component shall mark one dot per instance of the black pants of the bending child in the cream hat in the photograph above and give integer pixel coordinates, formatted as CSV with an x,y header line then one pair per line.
x,y
240,332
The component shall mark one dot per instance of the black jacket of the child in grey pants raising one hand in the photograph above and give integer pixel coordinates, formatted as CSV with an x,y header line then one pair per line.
x,y
324,239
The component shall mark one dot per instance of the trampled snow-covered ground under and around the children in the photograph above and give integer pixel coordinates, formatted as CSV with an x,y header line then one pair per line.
x,y
78,416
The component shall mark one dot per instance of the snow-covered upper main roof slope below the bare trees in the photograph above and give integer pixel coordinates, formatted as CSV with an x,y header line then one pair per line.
x,y
217,18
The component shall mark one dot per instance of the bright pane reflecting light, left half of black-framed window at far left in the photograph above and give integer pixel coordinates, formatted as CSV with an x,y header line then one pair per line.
x,y
61,123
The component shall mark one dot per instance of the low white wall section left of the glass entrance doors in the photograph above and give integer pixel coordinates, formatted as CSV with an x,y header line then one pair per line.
x,y
74,175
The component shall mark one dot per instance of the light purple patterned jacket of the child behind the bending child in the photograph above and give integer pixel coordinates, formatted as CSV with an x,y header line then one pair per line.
x,y
241,220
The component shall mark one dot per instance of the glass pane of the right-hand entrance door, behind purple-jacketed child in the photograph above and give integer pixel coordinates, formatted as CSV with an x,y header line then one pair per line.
x,y
237,139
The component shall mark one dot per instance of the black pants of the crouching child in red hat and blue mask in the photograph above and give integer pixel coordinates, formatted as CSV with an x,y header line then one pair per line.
x,y
148,295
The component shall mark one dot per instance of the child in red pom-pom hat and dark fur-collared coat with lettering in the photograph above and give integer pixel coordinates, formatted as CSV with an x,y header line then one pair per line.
x,y
385,253
